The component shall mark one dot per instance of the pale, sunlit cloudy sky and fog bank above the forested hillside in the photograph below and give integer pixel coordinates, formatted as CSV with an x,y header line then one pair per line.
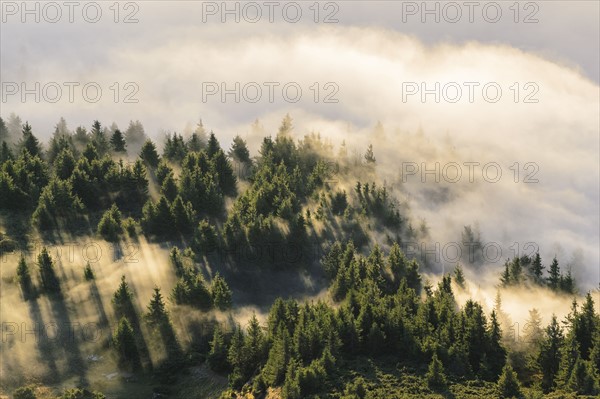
x,y
513,84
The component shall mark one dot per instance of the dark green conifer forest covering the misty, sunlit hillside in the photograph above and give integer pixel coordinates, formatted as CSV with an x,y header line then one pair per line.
x,y
228,221
